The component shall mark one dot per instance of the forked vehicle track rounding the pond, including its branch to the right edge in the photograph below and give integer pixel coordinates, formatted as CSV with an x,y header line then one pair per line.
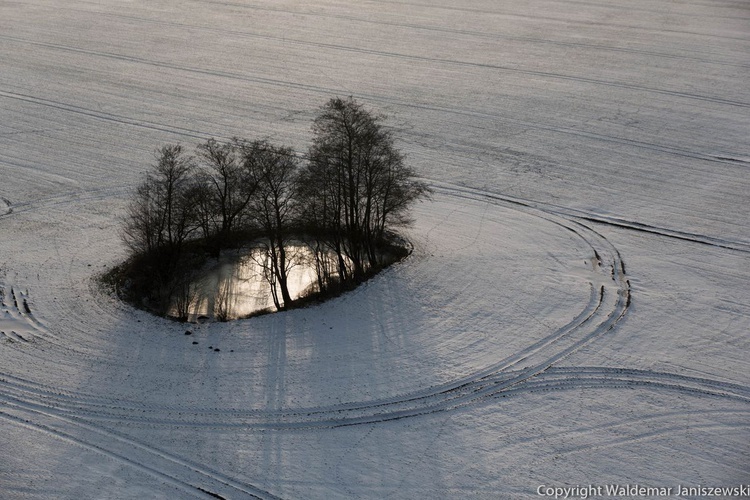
x,y
531,369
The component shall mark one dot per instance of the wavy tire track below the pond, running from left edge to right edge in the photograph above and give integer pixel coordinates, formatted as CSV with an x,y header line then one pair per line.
x,y
496,386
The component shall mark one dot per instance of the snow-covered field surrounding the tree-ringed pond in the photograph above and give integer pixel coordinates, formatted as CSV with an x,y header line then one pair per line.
x,y
576,310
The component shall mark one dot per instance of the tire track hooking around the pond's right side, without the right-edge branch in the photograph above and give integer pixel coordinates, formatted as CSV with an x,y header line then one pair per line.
x,y
608,303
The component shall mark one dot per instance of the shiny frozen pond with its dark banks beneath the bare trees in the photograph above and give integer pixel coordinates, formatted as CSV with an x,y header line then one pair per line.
x,y
239,283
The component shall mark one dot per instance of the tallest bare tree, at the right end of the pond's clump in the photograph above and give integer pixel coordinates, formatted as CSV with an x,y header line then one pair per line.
x,y
356,184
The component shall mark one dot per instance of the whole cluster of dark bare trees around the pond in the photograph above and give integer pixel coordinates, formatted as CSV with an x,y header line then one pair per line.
x,y
342,200
